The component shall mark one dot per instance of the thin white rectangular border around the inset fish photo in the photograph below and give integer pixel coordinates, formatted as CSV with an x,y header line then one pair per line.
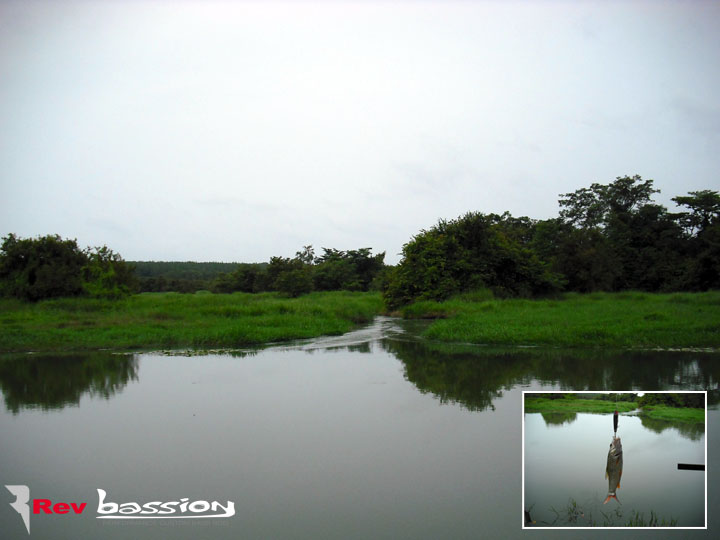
x,y
608,392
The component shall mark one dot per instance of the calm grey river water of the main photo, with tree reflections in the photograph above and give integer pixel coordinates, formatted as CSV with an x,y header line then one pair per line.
x,y
375,434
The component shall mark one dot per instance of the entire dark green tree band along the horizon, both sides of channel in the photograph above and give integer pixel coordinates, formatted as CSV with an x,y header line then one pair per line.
x,y
607,237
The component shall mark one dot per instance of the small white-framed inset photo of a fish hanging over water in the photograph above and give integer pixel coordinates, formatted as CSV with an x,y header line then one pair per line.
x,y
620,459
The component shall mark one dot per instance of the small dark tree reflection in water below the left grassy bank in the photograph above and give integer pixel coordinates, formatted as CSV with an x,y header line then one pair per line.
x,y
53,382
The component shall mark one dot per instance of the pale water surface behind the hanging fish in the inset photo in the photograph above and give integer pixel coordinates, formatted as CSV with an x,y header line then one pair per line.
x,y
565,465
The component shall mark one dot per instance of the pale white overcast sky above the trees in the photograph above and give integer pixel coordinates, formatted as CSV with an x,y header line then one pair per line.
x,y
234,131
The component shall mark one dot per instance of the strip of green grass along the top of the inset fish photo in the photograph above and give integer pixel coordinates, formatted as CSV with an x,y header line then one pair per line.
x,y
580,405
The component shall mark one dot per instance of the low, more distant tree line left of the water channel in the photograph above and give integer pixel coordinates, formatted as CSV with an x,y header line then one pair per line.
x,y
46,267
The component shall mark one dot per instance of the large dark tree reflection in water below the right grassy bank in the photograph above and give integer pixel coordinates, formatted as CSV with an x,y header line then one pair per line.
x,y
474,376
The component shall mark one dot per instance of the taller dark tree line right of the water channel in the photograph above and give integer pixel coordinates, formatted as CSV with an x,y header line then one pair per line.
x,y
607,237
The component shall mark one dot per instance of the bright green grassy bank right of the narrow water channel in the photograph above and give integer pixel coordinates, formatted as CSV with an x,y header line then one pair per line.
x,y
625,320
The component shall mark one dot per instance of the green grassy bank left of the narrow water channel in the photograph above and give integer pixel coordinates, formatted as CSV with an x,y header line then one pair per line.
x,y
171,320
